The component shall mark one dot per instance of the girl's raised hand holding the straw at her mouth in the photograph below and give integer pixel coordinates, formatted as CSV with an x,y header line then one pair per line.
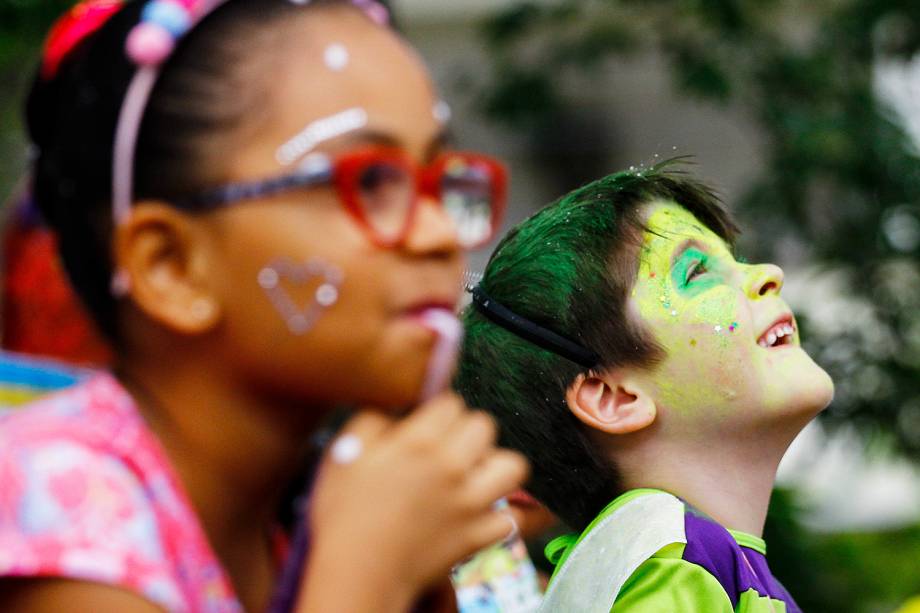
x,y
417,500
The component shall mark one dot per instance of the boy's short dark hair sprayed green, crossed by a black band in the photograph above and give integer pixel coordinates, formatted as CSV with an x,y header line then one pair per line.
x,y
569,268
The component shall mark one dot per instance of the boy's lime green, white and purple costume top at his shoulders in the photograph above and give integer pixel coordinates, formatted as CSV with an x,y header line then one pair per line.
x,y
699,566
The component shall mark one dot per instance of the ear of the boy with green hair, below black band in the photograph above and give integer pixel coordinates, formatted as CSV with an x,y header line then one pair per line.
x,y
613,402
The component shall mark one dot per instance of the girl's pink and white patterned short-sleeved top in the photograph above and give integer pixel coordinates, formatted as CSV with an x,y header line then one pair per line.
x,y
86,492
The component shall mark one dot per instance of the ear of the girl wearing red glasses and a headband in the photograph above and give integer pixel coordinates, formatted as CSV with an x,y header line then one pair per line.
x,y
164,256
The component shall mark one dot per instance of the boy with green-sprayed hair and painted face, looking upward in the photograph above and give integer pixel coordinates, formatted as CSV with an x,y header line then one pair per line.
x,y
654,382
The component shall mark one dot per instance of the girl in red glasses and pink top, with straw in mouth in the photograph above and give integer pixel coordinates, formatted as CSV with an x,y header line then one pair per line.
x,y
254,201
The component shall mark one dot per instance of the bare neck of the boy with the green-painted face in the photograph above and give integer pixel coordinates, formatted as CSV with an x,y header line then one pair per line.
x,y
730,481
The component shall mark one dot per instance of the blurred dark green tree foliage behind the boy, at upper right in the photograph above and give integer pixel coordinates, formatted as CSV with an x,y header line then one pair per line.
x,y
841,180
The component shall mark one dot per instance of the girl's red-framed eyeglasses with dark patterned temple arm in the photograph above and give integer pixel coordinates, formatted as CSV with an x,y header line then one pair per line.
x,y
381,189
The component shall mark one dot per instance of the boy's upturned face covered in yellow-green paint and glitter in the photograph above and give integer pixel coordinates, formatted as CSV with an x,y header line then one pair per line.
x,y
707,312
